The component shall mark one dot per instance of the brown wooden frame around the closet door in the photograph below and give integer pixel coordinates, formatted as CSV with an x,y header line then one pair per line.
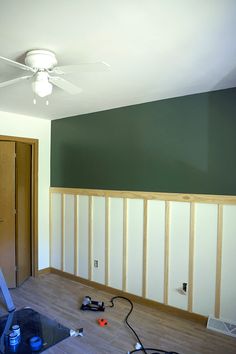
x,y
34,197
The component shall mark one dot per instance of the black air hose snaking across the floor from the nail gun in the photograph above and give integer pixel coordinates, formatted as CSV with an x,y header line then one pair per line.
x,y
142,349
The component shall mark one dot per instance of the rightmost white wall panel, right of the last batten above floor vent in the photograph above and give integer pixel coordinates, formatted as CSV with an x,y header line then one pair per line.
x,y
228,282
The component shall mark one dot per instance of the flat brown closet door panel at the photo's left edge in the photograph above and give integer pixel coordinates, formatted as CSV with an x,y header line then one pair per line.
x,y
7,212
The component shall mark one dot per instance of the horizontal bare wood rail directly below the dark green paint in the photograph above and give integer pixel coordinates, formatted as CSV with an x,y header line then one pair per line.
x,y
178,197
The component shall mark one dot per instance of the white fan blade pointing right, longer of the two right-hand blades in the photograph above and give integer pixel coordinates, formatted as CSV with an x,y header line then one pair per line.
x,y
81,68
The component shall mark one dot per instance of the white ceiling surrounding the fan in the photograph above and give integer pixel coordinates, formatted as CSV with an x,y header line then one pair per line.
x,y
156,48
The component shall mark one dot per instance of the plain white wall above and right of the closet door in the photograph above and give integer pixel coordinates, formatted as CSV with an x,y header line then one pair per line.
x,y
35,128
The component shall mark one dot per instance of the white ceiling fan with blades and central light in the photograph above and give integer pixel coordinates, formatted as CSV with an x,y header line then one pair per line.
x,y
42,68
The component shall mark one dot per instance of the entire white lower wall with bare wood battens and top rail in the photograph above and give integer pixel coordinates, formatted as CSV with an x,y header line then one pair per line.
x,y
168,242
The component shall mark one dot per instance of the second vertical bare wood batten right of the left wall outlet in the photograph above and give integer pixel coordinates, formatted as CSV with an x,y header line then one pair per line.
x,y
125,245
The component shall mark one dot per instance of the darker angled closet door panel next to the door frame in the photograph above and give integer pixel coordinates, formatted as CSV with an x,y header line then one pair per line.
x,y
23,212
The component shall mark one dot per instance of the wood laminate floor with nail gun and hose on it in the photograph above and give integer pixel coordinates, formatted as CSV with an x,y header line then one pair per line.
x,y
60,298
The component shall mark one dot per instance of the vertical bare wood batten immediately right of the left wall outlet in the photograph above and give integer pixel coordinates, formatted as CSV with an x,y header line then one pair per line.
x,y
107,241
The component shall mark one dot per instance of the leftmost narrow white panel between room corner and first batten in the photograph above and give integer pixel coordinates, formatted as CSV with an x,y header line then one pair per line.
x,y
56,232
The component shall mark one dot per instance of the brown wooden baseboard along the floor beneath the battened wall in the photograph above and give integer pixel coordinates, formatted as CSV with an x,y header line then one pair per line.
x,y
138,299
